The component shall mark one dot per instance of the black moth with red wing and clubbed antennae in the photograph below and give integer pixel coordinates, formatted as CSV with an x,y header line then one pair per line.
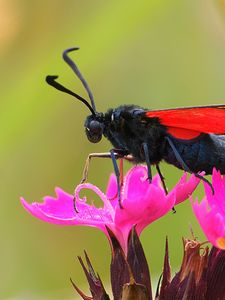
x,y
190,138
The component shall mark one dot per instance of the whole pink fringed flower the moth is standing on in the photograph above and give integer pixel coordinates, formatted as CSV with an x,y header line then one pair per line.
x,y
142,204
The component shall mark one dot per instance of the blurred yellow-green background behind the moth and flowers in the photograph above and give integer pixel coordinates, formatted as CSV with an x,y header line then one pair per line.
x,y
156,54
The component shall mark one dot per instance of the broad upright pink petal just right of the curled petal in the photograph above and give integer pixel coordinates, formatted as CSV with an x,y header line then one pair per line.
x,y
142,202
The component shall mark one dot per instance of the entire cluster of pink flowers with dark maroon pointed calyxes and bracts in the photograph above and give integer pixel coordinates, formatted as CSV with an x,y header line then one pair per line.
x,y
202,272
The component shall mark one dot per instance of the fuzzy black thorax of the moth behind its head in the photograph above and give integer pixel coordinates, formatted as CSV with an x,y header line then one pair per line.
x,y
127,128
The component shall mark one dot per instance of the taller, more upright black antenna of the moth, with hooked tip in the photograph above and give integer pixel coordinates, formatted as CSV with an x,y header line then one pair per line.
x,y
75,69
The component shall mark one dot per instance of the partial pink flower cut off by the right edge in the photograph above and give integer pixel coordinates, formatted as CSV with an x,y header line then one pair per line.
x,y
211,211
